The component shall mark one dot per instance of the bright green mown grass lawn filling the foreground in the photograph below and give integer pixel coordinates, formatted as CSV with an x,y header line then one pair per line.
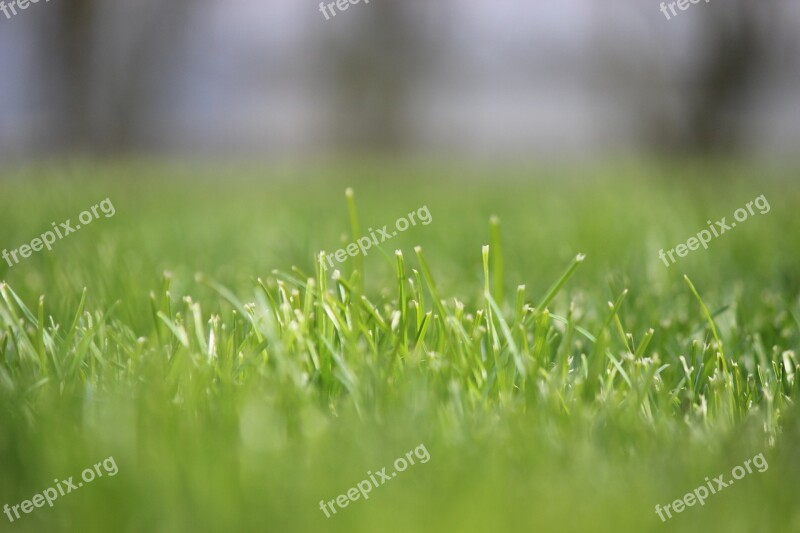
x,y
560,376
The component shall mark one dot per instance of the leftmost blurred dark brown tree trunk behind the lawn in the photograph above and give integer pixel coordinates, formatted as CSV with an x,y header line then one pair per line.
x,y
101,78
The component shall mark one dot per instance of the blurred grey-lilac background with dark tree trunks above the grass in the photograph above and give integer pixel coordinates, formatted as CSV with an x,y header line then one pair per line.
x,y
552,79
